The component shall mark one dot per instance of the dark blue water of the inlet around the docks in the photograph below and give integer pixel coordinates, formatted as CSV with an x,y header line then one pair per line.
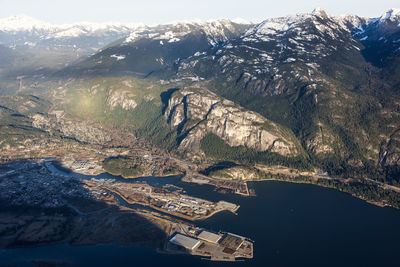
x,y
291,224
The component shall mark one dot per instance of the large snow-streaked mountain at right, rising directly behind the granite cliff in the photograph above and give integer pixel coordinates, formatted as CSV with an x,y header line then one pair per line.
x,y
317,74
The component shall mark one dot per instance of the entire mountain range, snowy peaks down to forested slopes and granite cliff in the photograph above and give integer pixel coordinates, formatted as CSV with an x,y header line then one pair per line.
x,y
306,91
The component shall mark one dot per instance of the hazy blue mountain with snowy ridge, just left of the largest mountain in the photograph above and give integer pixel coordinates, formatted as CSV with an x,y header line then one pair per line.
x,y
151,49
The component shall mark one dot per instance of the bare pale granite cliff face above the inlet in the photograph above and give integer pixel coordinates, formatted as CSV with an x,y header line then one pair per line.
x,y
195,112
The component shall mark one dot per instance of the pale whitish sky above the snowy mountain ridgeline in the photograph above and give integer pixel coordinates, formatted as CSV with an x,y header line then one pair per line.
x,y
164,11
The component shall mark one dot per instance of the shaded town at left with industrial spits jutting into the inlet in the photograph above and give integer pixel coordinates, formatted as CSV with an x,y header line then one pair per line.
x,y
36,184
